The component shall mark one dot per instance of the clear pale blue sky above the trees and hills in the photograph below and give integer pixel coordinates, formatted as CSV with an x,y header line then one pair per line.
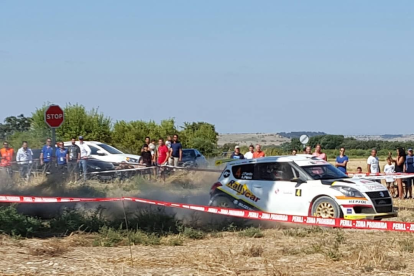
x,y
343,67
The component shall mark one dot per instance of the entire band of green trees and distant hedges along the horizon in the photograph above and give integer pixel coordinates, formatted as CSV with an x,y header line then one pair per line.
x,y
129,136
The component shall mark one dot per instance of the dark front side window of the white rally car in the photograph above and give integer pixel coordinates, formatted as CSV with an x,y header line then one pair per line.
x,y
274,171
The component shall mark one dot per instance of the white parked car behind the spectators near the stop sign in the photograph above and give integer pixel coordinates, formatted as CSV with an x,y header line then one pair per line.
x,y
108,153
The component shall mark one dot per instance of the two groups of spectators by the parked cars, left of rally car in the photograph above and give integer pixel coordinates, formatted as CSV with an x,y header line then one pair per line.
x,y
73,158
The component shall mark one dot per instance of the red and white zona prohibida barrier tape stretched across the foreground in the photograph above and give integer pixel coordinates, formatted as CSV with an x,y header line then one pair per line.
x,y
305,220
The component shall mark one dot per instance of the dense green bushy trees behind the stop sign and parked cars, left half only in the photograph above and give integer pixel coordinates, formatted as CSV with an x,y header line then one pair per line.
x,y
95,126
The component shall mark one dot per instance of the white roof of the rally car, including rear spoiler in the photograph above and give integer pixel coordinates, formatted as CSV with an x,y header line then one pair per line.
x,y
300,159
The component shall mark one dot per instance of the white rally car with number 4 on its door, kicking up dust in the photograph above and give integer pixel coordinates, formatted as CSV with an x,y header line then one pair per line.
x,y
299,185
